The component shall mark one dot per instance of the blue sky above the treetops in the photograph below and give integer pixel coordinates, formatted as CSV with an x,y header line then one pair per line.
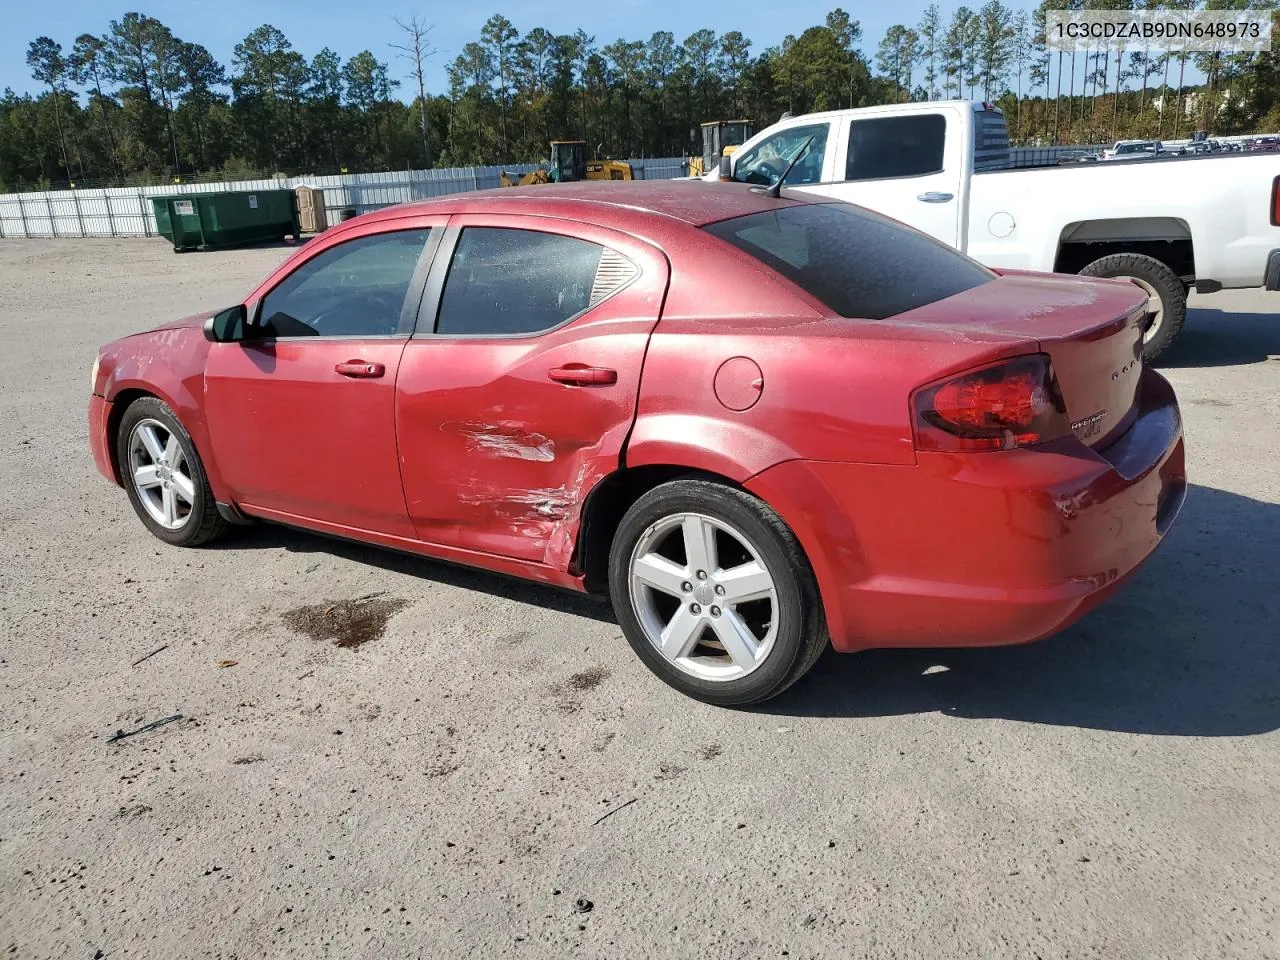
x,y
351,26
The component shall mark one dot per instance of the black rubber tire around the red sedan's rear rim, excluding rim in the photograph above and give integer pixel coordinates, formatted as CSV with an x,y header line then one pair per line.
x,y
802,629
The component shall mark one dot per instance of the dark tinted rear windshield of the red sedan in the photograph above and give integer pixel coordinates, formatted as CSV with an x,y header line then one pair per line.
x,y
858,263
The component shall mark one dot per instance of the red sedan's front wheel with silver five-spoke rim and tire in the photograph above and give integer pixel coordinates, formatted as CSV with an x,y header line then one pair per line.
x,y
164,477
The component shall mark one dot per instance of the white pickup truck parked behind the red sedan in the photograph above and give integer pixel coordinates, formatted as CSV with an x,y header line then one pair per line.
x,y
1176,225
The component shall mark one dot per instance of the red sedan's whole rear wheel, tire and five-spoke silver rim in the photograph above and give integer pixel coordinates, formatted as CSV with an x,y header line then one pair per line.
x,y
715,595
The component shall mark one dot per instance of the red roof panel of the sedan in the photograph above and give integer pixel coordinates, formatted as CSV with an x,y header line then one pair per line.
x,y
696,203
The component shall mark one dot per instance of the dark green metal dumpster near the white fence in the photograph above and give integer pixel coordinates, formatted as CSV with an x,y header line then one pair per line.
x,y
228,220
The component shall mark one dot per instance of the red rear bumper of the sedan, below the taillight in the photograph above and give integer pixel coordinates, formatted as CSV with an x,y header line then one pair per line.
x,y
984,550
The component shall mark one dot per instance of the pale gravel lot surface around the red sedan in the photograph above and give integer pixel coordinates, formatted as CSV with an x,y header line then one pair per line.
x,y
438,792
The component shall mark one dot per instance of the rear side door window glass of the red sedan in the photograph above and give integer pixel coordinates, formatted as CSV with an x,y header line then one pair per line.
x,y
510,282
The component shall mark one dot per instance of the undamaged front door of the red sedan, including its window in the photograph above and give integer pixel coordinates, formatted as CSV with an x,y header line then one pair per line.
x,y
301,413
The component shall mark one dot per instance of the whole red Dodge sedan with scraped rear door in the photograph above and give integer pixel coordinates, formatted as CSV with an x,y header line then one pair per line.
x,y
761,424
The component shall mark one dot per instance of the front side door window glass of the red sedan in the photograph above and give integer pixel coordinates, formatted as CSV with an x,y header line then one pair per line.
x,y
353,290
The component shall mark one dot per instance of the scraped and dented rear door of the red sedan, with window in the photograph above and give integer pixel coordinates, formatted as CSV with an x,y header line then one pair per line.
x,y
519,388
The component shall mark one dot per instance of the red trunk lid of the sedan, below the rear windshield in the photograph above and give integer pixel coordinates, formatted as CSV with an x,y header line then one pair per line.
x,y
1091,331
